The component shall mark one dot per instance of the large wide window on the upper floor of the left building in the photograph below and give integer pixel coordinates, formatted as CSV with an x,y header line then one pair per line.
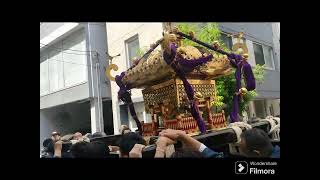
x,y
63,64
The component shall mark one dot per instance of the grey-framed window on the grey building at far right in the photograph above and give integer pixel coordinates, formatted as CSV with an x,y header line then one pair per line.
x,y
263,55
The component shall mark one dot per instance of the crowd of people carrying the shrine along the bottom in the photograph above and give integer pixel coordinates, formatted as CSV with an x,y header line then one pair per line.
x,y
254,143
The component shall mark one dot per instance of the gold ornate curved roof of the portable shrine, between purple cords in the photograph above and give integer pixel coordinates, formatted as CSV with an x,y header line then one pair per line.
x,y
154,69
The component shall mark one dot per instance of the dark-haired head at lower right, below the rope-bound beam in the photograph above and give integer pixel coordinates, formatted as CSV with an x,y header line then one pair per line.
x,y
255,143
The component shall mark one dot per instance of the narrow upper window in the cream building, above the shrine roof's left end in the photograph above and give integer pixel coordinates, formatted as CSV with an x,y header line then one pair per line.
x,y
132,46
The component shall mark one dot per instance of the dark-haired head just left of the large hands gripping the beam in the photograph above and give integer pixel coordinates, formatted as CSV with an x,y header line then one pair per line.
x,y
128,141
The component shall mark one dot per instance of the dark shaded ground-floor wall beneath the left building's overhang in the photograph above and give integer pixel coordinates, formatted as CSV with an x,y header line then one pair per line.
x,y
68,118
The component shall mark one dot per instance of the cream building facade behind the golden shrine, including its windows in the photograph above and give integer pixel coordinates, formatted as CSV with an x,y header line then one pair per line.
x,y
127,39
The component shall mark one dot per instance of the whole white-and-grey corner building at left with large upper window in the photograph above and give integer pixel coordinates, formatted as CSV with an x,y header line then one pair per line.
x,y
75,95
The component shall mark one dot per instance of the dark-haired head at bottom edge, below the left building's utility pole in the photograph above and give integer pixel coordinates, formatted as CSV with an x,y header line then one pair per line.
x,y
96,149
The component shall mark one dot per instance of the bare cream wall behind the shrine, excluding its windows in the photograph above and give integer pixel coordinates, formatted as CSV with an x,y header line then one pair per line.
x,y
118,33
